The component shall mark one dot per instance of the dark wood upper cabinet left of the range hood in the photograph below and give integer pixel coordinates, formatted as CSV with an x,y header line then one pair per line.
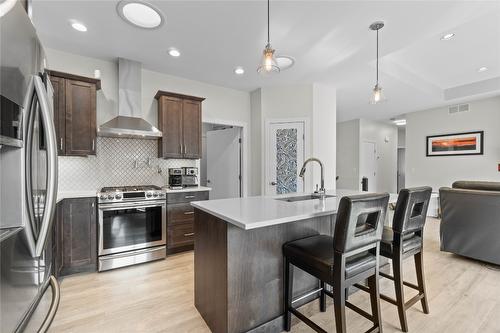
x,y
75,113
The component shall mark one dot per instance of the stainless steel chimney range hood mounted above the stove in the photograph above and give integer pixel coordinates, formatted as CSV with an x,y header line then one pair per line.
x,y
130,122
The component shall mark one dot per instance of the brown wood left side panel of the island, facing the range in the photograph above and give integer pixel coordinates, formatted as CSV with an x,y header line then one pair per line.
x,y
210,270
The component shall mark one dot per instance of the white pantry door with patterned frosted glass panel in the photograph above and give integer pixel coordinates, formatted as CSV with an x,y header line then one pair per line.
x,y
285,156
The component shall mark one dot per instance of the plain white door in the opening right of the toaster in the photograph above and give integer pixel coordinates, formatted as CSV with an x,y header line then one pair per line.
x,y
223,163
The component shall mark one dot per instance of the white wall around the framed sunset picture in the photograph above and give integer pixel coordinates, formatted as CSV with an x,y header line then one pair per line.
x,y
441,171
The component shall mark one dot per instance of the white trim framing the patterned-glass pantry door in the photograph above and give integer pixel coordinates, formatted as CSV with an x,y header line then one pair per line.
x,y
265,150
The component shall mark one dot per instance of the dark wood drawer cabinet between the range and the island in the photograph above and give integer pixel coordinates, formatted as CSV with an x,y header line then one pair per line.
x,y
180,220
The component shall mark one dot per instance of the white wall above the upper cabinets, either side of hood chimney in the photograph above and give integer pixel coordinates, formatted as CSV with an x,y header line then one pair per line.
x,y
220,103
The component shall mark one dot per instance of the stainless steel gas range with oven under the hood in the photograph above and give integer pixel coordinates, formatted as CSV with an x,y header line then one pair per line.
x,y
132,225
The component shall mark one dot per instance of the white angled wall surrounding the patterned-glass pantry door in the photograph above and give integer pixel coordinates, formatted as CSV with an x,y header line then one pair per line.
x,y
316,104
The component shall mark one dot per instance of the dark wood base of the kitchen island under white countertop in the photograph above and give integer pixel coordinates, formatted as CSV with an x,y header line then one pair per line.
x,y
239,273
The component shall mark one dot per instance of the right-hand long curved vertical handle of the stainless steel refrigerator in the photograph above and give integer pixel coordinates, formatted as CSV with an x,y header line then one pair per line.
x,y
50,137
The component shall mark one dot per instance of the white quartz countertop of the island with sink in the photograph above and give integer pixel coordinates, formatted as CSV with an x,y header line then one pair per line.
x,y
263,211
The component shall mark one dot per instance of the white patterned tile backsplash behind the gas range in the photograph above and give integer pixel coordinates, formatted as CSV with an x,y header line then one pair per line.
x,y
117,162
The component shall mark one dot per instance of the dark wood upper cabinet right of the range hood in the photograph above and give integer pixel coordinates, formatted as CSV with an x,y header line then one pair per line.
x,y
179,118
